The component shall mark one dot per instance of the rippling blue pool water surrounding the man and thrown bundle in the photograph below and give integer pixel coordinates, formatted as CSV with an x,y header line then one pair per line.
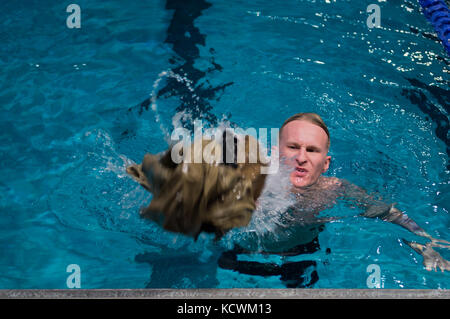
x,y
75,110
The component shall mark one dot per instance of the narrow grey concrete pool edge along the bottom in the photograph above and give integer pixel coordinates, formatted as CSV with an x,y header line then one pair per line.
x,y
224,294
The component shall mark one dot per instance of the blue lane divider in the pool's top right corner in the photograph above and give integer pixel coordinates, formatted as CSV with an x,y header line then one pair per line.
x,y
438,14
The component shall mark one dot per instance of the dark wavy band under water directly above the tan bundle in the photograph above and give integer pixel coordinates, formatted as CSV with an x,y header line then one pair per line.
x,y
194,90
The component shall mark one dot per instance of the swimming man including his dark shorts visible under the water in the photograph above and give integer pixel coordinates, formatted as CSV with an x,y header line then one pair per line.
x,y
303,147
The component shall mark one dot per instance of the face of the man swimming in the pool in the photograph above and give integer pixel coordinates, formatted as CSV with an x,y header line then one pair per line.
x,y
303,146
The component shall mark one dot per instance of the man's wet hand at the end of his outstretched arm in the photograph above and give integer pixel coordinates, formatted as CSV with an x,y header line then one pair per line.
x,y
431,258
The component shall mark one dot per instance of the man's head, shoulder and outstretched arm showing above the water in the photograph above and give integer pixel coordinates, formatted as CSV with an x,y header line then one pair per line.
x,y
304,145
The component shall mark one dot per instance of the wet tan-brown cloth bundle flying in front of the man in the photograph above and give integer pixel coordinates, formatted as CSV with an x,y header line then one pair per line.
x,y
189,198
